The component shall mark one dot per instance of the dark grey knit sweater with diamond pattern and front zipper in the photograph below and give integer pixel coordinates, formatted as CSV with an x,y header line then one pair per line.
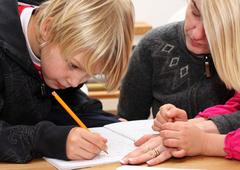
x,y
162,71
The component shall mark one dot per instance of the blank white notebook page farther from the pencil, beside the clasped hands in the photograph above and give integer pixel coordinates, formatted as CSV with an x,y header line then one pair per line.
x,y
132,129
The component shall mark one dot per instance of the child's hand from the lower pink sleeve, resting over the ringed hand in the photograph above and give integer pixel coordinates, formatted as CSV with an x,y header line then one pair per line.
x,y
187,138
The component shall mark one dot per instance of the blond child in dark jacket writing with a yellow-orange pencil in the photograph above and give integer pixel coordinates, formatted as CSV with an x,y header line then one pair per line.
x,y
58,46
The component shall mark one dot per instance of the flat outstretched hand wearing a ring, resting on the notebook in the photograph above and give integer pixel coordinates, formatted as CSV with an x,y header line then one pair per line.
x,y
150,150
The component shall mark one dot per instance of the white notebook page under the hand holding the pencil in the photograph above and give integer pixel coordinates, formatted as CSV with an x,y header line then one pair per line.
x,y
115,153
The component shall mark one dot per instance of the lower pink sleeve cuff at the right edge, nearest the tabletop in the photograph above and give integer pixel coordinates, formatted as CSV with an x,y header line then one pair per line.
x,y
232,144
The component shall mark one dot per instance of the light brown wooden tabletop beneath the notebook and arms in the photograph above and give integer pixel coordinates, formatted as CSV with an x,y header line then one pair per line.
x,y
200,162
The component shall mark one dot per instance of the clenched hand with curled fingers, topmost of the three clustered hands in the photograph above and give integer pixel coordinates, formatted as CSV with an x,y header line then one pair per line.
x,y
168,113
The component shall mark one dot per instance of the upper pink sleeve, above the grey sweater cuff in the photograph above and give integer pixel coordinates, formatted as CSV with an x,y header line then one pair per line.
x,y
232,105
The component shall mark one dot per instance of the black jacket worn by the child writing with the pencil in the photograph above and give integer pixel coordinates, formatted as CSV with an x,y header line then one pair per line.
x,y
32,123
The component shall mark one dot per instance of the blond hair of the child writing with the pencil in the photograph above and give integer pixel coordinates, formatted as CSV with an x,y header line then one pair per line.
x,y
101,29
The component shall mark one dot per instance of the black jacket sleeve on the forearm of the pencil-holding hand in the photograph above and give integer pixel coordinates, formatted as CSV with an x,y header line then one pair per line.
x,y
22,143
